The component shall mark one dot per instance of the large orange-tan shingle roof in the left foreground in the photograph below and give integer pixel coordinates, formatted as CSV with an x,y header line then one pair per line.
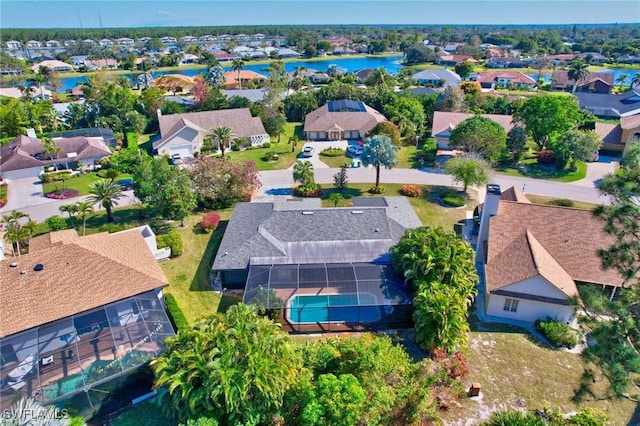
x,y
79,274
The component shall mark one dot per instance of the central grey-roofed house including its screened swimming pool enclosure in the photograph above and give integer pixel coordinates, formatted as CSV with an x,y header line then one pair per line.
x,y
296,249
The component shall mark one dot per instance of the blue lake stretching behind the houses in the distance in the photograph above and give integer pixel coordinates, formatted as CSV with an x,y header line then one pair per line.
x,y
390,63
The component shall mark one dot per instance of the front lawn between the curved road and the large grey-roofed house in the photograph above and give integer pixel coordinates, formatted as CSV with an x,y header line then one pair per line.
x,y
427,207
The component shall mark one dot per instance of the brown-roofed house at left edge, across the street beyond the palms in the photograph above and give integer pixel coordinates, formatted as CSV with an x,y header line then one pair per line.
x,y
24,158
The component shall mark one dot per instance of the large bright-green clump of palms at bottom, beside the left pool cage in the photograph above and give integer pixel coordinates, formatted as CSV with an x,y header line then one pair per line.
x,y
234,367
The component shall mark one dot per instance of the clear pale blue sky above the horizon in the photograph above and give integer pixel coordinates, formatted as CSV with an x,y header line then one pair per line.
x,y
143,13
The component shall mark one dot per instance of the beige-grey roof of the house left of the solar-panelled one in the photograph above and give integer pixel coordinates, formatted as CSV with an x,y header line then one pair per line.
x,y
239,120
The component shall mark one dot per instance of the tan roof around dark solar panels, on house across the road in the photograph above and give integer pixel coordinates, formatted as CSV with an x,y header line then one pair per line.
x,y
321,120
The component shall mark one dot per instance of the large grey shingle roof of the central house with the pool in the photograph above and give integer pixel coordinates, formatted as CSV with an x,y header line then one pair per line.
x,y
304,232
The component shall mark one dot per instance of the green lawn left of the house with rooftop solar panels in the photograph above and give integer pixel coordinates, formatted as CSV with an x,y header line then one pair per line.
x,y
287,158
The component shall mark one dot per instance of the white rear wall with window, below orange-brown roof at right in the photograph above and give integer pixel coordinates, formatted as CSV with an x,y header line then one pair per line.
x,y
528,310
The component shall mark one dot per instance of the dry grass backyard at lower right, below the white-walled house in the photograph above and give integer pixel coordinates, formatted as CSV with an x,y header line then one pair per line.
x,y
516,372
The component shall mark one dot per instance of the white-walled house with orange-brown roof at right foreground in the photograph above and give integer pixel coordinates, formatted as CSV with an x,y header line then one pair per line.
x,y
535,256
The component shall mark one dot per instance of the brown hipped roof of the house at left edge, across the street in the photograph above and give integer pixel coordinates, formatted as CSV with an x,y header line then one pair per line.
x,y
24,152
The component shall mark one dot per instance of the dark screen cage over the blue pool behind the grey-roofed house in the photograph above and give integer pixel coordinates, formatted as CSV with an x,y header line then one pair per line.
x,y
330,297
